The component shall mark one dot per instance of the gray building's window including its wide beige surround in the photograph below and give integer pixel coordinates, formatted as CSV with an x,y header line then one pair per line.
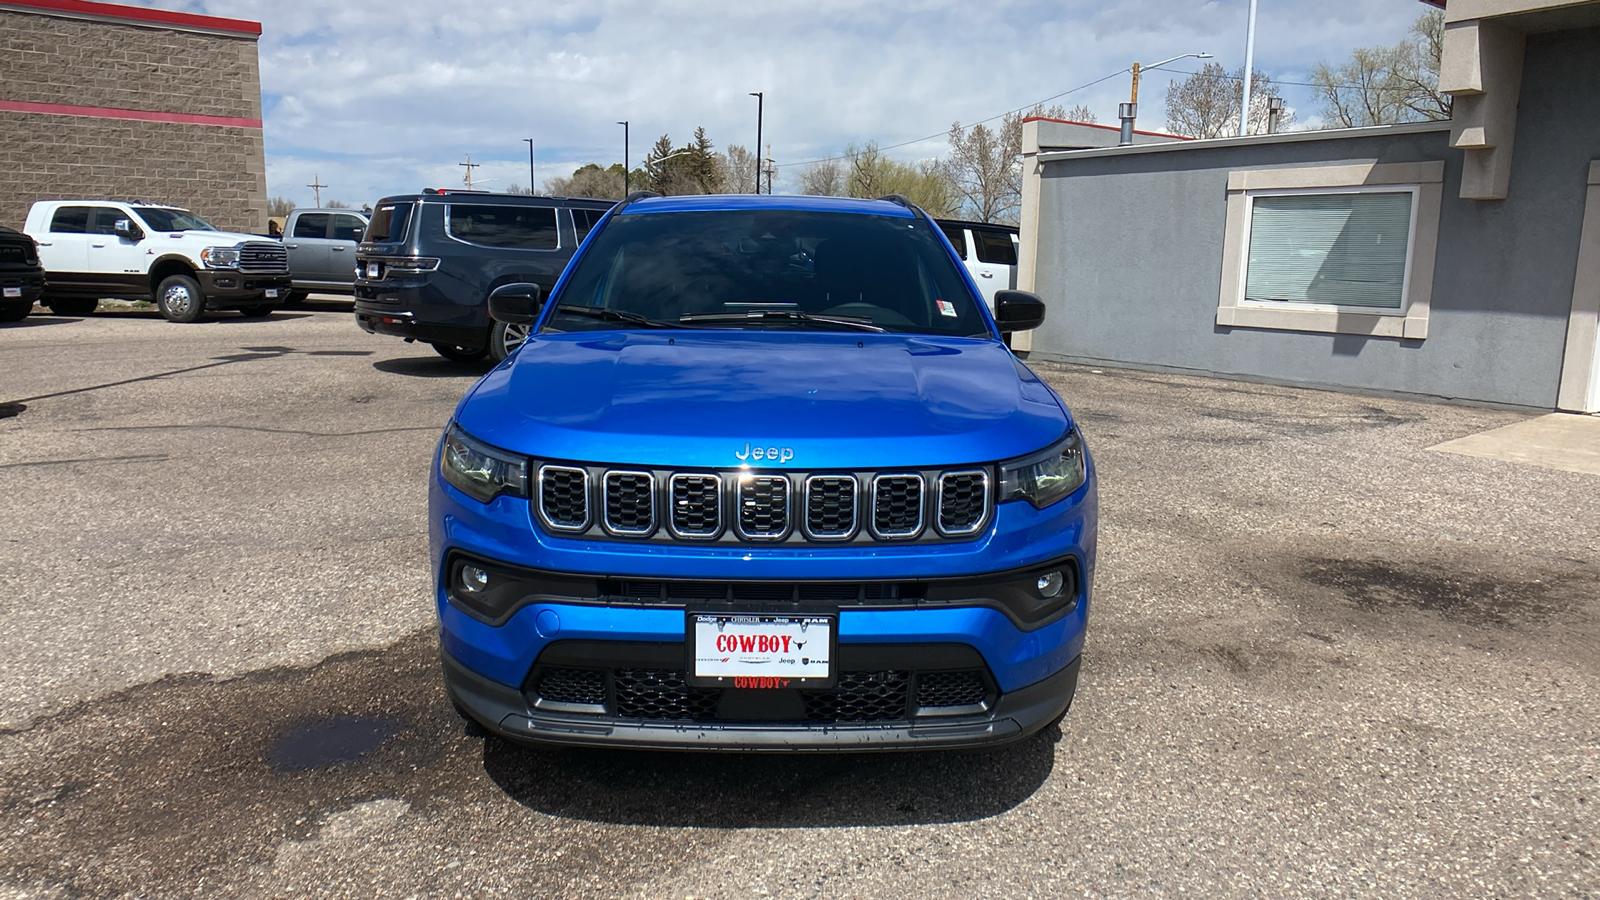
x,y
1343,249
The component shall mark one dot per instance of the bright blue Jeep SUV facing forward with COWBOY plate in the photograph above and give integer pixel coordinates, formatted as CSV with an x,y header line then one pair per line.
x,y
764,476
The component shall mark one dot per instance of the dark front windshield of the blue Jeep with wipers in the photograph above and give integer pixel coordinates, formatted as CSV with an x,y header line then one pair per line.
x,y
772,270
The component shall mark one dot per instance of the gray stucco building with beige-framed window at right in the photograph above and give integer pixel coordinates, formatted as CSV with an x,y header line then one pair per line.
x,y
1455,260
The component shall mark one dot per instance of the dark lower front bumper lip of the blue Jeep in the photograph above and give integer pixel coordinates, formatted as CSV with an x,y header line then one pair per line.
x,y
1014,717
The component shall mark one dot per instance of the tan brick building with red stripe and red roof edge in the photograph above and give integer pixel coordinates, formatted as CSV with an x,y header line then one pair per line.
x,y
110,102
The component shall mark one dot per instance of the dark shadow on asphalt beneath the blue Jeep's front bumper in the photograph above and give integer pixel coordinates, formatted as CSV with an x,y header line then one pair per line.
x,y
710,790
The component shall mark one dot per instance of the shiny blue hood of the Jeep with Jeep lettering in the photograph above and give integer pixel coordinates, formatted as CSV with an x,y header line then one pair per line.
x,y
708,400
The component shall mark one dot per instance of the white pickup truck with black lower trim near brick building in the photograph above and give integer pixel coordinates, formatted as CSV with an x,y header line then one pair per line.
x,y
110,249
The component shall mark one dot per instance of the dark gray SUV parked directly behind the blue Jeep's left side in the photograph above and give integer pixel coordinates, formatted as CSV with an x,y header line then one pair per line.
x,y
428,263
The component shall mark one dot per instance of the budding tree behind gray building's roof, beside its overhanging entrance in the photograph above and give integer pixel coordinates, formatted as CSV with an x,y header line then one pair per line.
x,y
1385,86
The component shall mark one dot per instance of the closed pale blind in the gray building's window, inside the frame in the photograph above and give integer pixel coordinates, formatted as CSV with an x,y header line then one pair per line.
x,y
1335,249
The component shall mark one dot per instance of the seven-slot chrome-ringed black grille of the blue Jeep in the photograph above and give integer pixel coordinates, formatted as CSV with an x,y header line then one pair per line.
x,y
764,507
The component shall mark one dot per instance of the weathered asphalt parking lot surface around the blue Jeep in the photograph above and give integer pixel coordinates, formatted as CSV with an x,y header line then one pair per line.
x,y
1324,661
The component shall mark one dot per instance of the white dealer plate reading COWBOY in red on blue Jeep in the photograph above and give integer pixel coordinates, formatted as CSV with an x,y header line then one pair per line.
x,y
764,653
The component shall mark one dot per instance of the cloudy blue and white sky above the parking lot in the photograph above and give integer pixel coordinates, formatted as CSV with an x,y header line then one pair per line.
x,y
383,97
